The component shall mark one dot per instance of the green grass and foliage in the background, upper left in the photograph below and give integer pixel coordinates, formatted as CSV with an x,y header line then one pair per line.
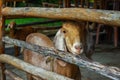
x,y
29,20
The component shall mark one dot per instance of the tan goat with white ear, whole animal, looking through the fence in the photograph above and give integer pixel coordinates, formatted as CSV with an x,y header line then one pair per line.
x,y
71,38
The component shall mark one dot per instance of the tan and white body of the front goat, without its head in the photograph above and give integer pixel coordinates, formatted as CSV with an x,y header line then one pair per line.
x,y
69,70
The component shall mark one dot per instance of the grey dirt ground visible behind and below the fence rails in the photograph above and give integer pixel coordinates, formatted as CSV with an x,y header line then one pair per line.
x,y
104,53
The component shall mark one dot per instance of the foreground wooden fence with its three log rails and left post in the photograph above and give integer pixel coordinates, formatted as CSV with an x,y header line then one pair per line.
x,y
100,16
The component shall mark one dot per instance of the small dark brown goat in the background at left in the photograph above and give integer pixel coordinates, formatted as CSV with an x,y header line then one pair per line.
x,y
20,34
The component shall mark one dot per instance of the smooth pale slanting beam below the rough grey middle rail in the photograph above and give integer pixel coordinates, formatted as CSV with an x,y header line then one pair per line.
x,y
36,71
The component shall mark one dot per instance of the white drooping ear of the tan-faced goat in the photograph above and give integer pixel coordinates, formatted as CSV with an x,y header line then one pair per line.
x,y
59,41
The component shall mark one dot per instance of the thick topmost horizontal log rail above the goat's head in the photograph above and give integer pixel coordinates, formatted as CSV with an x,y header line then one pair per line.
x,y
100,16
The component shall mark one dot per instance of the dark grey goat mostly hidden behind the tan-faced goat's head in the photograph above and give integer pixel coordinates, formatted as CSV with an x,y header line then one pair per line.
x,y
90,42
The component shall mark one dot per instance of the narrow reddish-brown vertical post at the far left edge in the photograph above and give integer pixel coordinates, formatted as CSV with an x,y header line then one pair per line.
x,y
2,21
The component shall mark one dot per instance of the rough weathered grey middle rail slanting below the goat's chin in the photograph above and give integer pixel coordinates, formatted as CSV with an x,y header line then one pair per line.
x,y
108,71
